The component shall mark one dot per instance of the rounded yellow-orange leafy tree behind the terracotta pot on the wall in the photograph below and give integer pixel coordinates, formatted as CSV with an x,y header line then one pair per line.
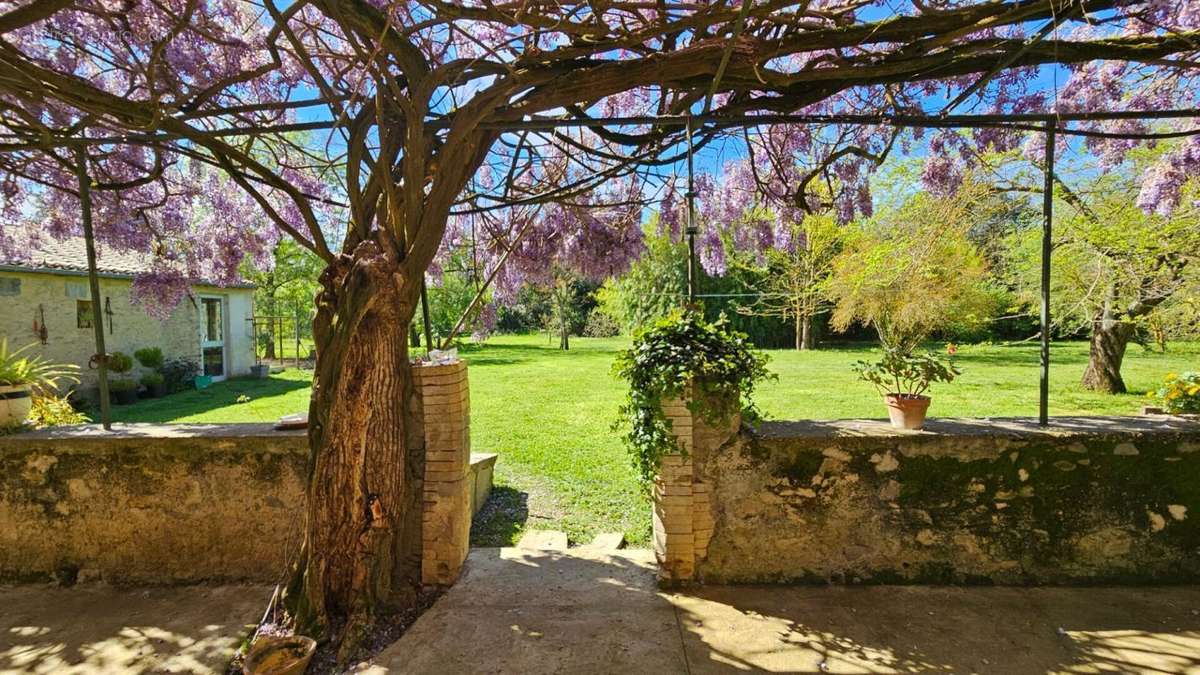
x,y
914,271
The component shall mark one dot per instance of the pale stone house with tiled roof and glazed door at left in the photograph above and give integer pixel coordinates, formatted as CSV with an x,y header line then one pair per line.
x,y
46,301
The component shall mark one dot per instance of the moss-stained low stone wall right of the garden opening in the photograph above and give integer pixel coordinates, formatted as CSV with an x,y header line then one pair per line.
x,y
1001,501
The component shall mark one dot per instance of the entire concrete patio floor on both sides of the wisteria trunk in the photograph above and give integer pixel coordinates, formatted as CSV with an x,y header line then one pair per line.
x,y
590,612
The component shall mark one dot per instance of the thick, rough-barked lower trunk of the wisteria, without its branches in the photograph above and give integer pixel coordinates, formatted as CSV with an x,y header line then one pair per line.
x,y
362,555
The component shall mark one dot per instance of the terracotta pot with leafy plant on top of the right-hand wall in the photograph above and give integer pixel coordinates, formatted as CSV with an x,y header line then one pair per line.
x,y
903,379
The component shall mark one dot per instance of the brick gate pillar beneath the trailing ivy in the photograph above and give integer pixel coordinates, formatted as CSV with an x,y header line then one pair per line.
x,y
683,516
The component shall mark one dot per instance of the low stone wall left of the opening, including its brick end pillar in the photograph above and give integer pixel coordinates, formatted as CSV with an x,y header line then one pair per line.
x,y
206,503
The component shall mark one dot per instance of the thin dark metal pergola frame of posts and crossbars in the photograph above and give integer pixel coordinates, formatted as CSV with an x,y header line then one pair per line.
x,y
1051,126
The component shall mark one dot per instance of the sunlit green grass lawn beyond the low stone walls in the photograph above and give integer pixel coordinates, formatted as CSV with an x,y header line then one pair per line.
x,y
549,415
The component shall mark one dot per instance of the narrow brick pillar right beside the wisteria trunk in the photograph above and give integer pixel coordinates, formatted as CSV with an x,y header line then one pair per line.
x,y
446,529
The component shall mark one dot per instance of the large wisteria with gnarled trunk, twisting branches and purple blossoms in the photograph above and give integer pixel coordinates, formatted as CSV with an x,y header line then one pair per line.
x,y
157,100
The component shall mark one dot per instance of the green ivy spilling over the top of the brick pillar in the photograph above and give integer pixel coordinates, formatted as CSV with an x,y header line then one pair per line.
x,y
677,351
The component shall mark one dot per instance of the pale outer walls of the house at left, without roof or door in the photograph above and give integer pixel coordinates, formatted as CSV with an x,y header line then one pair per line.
x,y
58,301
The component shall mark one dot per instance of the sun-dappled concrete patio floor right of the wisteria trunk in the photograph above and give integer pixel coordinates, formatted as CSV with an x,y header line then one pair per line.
x,y
549,612
